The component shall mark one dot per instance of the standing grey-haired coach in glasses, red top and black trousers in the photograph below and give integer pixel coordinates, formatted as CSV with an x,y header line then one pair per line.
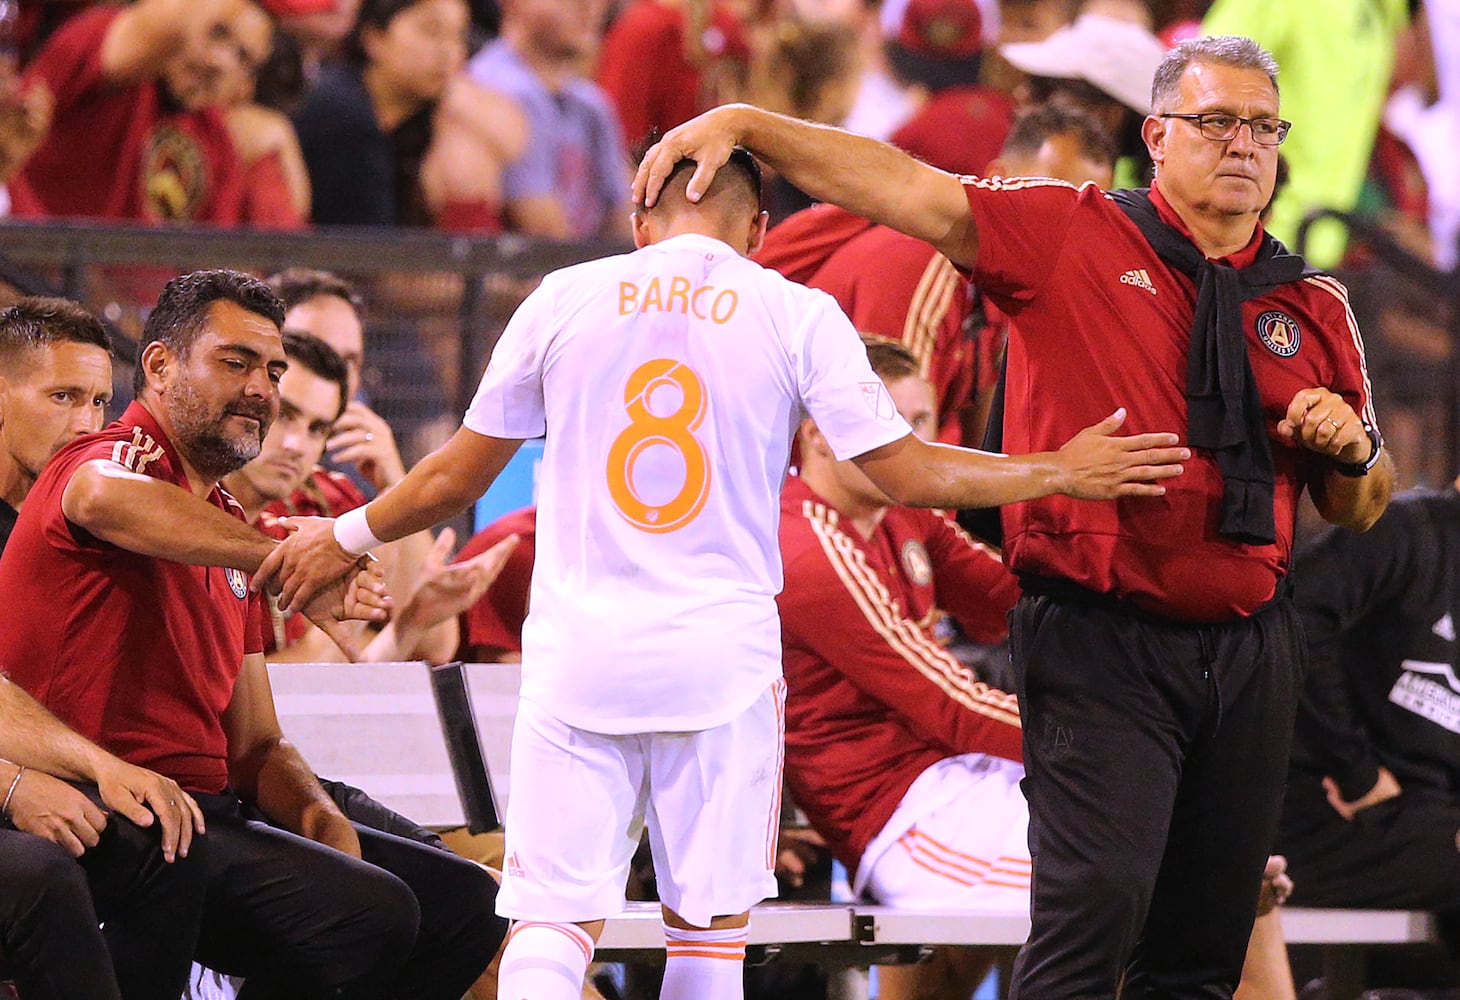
x,y
1156,649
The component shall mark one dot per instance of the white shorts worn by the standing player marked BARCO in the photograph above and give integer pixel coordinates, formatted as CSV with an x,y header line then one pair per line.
x,y
580,802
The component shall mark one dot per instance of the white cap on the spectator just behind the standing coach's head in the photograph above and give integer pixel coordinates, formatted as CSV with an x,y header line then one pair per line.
x,y
1118,56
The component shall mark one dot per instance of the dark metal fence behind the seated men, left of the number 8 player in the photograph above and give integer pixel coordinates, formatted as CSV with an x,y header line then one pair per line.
x,y
436,303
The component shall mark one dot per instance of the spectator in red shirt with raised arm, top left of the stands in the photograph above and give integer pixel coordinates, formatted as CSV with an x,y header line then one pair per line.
x,y
145,84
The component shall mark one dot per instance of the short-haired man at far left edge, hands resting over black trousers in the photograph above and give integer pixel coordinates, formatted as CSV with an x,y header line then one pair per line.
x,y
62,798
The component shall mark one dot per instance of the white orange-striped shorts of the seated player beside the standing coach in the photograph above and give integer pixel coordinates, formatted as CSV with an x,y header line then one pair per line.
x,y
958,840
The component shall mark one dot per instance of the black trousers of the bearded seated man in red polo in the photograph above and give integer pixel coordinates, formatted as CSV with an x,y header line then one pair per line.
x,y
296,919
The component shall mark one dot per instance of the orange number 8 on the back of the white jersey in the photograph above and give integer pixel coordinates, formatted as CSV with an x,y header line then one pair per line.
x,y
674,430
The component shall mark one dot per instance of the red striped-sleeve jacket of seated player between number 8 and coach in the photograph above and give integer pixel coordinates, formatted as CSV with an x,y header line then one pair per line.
x,y
872,700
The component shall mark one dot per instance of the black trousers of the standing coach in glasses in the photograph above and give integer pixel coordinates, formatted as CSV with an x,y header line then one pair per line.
x,y
1154,757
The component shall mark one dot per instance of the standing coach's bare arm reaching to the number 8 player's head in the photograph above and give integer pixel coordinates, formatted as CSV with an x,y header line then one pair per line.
x,y
861,174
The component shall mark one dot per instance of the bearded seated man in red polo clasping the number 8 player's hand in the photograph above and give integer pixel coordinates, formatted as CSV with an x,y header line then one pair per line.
x,y
134,624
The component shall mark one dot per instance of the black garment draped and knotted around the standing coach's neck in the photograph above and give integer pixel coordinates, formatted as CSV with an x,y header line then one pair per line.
x,y
1224,408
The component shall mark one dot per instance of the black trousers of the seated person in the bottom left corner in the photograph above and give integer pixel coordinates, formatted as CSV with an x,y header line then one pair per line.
x,y
52,903
